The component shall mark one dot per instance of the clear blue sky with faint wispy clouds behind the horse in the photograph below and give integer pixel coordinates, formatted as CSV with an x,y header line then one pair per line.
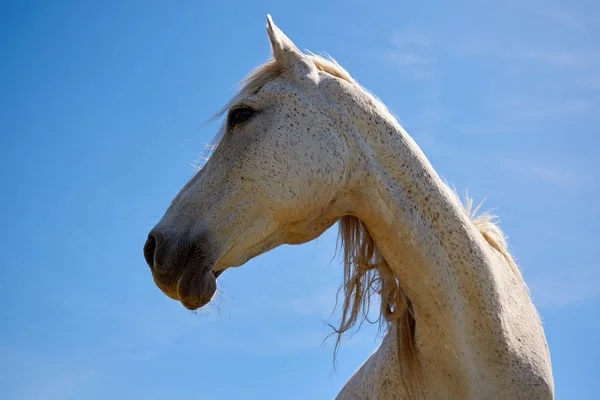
x,y
101,113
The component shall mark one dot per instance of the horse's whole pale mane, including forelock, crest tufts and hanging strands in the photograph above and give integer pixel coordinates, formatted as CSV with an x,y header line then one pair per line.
x,y
366,273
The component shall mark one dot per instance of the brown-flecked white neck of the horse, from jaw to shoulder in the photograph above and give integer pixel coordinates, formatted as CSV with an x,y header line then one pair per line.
x,y
468,301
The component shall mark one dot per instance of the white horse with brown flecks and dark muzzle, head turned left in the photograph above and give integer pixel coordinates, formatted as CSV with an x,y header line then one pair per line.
x,y
305,146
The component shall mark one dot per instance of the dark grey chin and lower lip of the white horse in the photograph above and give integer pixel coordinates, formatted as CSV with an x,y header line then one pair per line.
x,y
196,288
